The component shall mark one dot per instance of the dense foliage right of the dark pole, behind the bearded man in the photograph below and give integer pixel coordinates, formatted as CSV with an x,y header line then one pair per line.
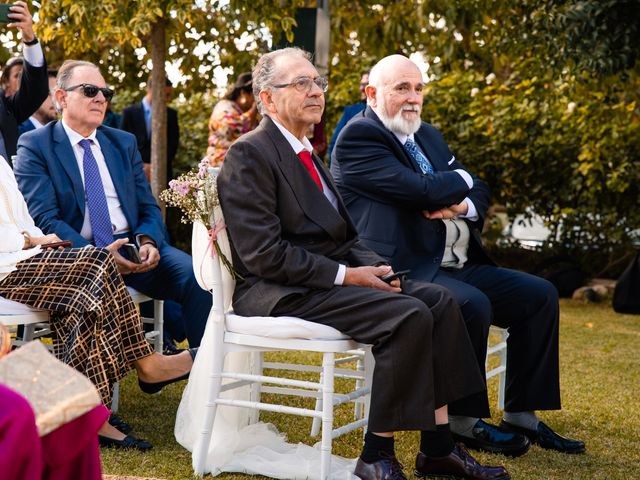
x,y
540,98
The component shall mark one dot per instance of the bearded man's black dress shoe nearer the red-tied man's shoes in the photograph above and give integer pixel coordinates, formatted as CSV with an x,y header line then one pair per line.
x,y
494,439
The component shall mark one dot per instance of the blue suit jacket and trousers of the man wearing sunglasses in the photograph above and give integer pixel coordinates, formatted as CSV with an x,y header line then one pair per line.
x,y
50,180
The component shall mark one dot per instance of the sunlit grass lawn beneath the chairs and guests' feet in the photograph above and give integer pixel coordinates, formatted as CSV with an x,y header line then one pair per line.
x,y
600,379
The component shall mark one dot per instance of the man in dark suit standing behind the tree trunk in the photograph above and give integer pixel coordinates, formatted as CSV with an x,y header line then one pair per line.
x,y
136,119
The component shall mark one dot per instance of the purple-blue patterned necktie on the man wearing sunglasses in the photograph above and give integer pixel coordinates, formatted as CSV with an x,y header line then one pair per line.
x,y
96,198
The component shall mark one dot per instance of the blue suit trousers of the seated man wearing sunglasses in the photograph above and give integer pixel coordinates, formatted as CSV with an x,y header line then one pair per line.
x,y
173,279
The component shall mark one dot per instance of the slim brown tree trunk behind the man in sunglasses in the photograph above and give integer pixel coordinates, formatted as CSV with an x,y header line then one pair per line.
x,y
158,112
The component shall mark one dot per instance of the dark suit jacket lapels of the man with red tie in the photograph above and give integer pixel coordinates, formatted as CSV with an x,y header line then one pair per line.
x,y
311,200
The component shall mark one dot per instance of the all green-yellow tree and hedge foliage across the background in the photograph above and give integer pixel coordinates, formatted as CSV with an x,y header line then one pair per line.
x,y
538,97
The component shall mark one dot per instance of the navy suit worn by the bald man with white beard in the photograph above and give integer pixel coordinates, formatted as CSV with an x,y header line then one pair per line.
x,y
385,192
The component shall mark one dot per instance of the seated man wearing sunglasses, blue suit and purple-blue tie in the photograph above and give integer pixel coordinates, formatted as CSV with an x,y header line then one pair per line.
x,y
85,182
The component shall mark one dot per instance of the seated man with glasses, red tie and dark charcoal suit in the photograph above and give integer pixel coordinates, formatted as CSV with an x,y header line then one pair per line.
x,y
298,253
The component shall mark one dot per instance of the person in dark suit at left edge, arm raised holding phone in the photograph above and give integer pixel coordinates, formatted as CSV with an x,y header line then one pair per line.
x,y
21,97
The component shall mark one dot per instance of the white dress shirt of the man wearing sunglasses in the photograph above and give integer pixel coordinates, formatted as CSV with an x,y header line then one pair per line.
x,y
118,220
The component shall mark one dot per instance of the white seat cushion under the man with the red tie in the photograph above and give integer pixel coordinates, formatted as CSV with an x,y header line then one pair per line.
x,y
282,327
